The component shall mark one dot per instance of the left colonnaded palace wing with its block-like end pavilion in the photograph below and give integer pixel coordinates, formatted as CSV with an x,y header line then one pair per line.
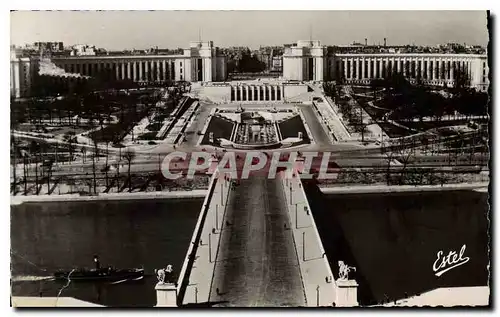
x,y
201,62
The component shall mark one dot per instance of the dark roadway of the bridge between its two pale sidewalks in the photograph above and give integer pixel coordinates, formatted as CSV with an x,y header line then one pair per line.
x,y
257,263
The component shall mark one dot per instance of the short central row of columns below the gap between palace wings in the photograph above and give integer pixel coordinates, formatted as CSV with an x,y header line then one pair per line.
x,y
257,93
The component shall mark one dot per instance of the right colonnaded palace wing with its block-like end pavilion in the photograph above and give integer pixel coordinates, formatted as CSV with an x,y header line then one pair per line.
x,y
310,61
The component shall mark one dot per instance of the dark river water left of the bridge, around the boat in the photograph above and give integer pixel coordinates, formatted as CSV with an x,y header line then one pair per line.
x,y
62,235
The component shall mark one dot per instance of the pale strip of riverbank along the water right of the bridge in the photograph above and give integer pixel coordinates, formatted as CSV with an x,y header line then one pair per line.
x,y
366,189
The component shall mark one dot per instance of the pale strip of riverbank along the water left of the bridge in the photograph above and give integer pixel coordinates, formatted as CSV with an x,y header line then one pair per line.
x,y
197,193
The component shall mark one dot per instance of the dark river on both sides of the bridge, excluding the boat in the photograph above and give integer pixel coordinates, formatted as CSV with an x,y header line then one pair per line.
x,y
392,239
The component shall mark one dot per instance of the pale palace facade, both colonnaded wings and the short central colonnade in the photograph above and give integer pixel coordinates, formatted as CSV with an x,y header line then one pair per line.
x,y
202,62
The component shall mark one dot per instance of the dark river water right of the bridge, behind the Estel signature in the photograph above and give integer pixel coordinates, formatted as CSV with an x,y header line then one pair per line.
x,y
393,240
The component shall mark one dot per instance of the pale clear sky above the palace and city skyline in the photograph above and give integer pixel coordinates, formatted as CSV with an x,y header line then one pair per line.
x,y
116,30
